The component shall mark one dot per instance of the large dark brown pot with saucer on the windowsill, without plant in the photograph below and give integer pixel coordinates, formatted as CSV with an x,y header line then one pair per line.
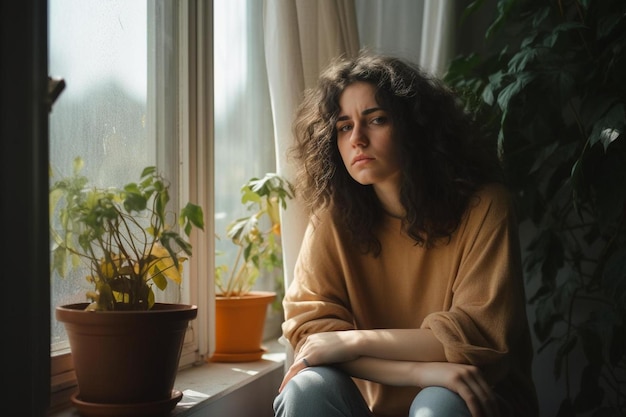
x,y
126,359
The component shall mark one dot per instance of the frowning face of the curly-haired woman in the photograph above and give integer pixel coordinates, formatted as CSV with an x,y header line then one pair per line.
x,y
365,138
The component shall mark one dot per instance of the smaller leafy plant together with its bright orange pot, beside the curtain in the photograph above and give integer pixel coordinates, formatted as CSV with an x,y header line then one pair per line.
x,y
241,311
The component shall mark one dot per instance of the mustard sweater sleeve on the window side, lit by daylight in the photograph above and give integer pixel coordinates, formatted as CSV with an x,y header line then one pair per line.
x,y
316,300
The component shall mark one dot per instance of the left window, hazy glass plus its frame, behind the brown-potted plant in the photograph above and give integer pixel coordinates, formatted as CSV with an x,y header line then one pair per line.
x,y
137,93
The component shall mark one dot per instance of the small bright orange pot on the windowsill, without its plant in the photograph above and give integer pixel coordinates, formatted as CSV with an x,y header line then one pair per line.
x,y
239,324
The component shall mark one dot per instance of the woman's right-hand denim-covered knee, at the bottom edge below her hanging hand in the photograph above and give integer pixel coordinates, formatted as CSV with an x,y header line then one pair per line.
x,y
439,402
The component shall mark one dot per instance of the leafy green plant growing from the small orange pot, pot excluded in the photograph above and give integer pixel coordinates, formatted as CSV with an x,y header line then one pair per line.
x,y
257,236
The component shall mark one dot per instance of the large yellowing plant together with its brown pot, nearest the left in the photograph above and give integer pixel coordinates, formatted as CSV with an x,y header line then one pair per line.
x,y
125,345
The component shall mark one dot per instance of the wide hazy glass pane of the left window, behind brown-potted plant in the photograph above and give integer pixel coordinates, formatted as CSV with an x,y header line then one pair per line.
x,y
100,49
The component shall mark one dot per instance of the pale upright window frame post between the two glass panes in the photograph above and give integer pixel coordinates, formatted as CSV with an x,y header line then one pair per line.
x,y
196,134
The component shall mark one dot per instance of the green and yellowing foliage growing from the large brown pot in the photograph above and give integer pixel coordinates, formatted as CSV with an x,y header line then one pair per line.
x,y
126,237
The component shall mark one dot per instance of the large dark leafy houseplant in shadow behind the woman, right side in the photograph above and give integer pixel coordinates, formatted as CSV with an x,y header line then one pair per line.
x,y
551,89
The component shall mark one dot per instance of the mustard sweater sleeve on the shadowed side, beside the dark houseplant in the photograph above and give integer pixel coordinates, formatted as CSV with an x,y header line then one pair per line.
x,y
488,314
